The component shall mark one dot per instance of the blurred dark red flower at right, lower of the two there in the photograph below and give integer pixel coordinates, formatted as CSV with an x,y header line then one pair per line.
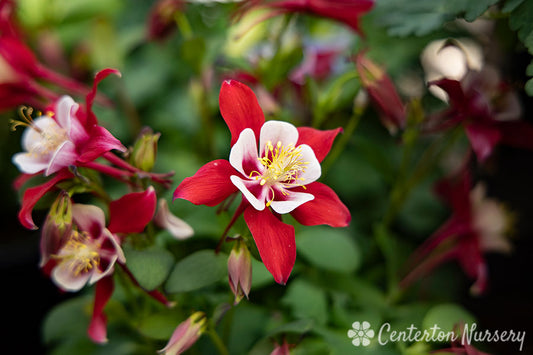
x,y
477,225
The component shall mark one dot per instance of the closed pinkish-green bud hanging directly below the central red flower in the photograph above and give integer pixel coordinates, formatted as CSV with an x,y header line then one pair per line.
x,y
240,271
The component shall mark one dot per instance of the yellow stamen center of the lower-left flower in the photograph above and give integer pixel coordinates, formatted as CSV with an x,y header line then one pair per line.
x,y
80,253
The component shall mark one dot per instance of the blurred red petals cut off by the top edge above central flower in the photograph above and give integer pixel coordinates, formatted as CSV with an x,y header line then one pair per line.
x,y
347,12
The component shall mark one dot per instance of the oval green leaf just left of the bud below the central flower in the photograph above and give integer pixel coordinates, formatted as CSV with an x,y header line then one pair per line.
x,y
197,270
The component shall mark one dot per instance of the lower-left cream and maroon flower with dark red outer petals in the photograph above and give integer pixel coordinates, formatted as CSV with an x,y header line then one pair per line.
x,y
86,252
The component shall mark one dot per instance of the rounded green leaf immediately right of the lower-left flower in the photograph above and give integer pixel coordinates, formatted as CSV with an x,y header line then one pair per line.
x,y
150,267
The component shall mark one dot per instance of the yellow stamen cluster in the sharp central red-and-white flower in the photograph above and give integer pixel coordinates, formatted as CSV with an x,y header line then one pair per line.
x,y
284,165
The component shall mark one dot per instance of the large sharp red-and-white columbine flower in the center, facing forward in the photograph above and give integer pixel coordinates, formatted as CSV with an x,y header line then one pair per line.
x,y
277,177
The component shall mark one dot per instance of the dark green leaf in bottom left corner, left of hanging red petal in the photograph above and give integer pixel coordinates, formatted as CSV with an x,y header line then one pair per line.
x,y
66,320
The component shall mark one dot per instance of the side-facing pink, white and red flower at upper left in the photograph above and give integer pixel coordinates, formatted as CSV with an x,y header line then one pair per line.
x,y
71,136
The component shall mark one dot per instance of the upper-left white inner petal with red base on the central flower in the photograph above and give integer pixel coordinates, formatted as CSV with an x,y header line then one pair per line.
x,y
244,152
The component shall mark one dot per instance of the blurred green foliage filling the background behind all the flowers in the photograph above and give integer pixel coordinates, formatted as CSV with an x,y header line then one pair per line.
x,y
341,275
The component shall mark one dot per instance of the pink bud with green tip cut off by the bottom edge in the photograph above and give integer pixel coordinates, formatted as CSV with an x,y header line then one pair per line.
x,y
185,334
